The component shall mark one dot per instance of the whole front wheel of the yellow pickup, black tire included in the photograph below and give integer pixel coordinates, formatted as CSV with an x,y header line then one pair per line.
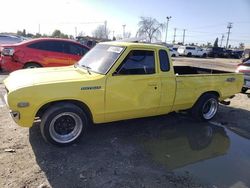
x,y
63,124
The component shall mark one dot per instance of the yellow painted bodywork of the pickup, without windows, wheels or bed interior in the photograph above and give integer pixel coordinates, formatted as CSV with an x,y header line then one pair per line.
x,y
117,97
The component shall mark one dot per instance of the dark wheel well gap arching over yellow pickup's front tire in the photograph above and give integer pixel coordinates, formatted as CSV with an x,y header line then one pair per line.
x,y
80,104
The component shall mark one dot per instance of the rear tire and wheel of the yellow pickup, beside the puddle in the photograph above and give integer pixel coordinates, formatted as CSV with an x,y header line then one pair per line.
x,y
206,107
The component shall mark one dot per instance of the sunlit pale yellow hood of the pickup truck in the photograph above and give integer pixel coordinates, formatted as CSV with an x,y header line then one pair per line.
x,y
38,76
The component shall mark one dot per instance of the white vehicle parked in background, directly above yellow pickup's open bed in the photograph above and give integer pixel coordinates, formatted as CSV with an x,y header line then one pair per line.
x,y
192,51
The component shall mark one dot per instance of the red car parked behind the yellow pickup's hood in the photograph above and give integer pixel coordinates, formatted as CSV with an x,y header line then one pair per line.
x,y
43,52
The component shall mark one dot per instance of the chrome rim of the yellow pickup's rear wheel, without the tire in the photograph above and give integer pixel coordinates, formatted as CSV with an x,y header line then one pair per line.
x,y
210,108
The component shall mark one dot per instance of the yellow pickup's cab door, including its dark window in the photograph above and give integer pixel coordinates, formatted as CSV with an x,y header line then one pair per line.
x,y
133,90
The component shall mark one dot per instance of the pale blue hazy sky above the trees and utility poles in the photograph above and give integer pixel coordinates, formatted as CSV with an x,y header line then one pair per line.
x,y
202,20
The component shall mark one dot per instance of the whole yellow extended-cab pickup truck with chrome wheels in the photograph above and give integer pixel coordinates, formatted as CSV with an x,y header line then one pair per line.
x,y
114,81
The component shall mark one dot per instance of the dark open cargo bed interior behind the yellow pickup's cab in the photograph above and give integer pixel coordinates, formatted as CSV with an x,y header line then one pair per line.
x,y
183,70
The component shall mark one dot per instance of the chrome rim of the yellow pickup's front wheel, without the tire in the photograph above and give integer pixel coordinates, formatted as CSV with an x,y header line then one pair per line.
x,y
65,127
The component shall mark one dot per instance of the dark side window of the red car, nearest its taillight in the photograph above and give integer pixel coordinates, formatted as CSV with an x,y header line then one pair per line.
x,y
54,46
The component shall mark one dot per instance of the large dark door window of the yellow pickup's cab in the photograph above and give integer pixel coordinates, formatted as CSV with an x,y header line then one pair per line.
x,y
138,62
